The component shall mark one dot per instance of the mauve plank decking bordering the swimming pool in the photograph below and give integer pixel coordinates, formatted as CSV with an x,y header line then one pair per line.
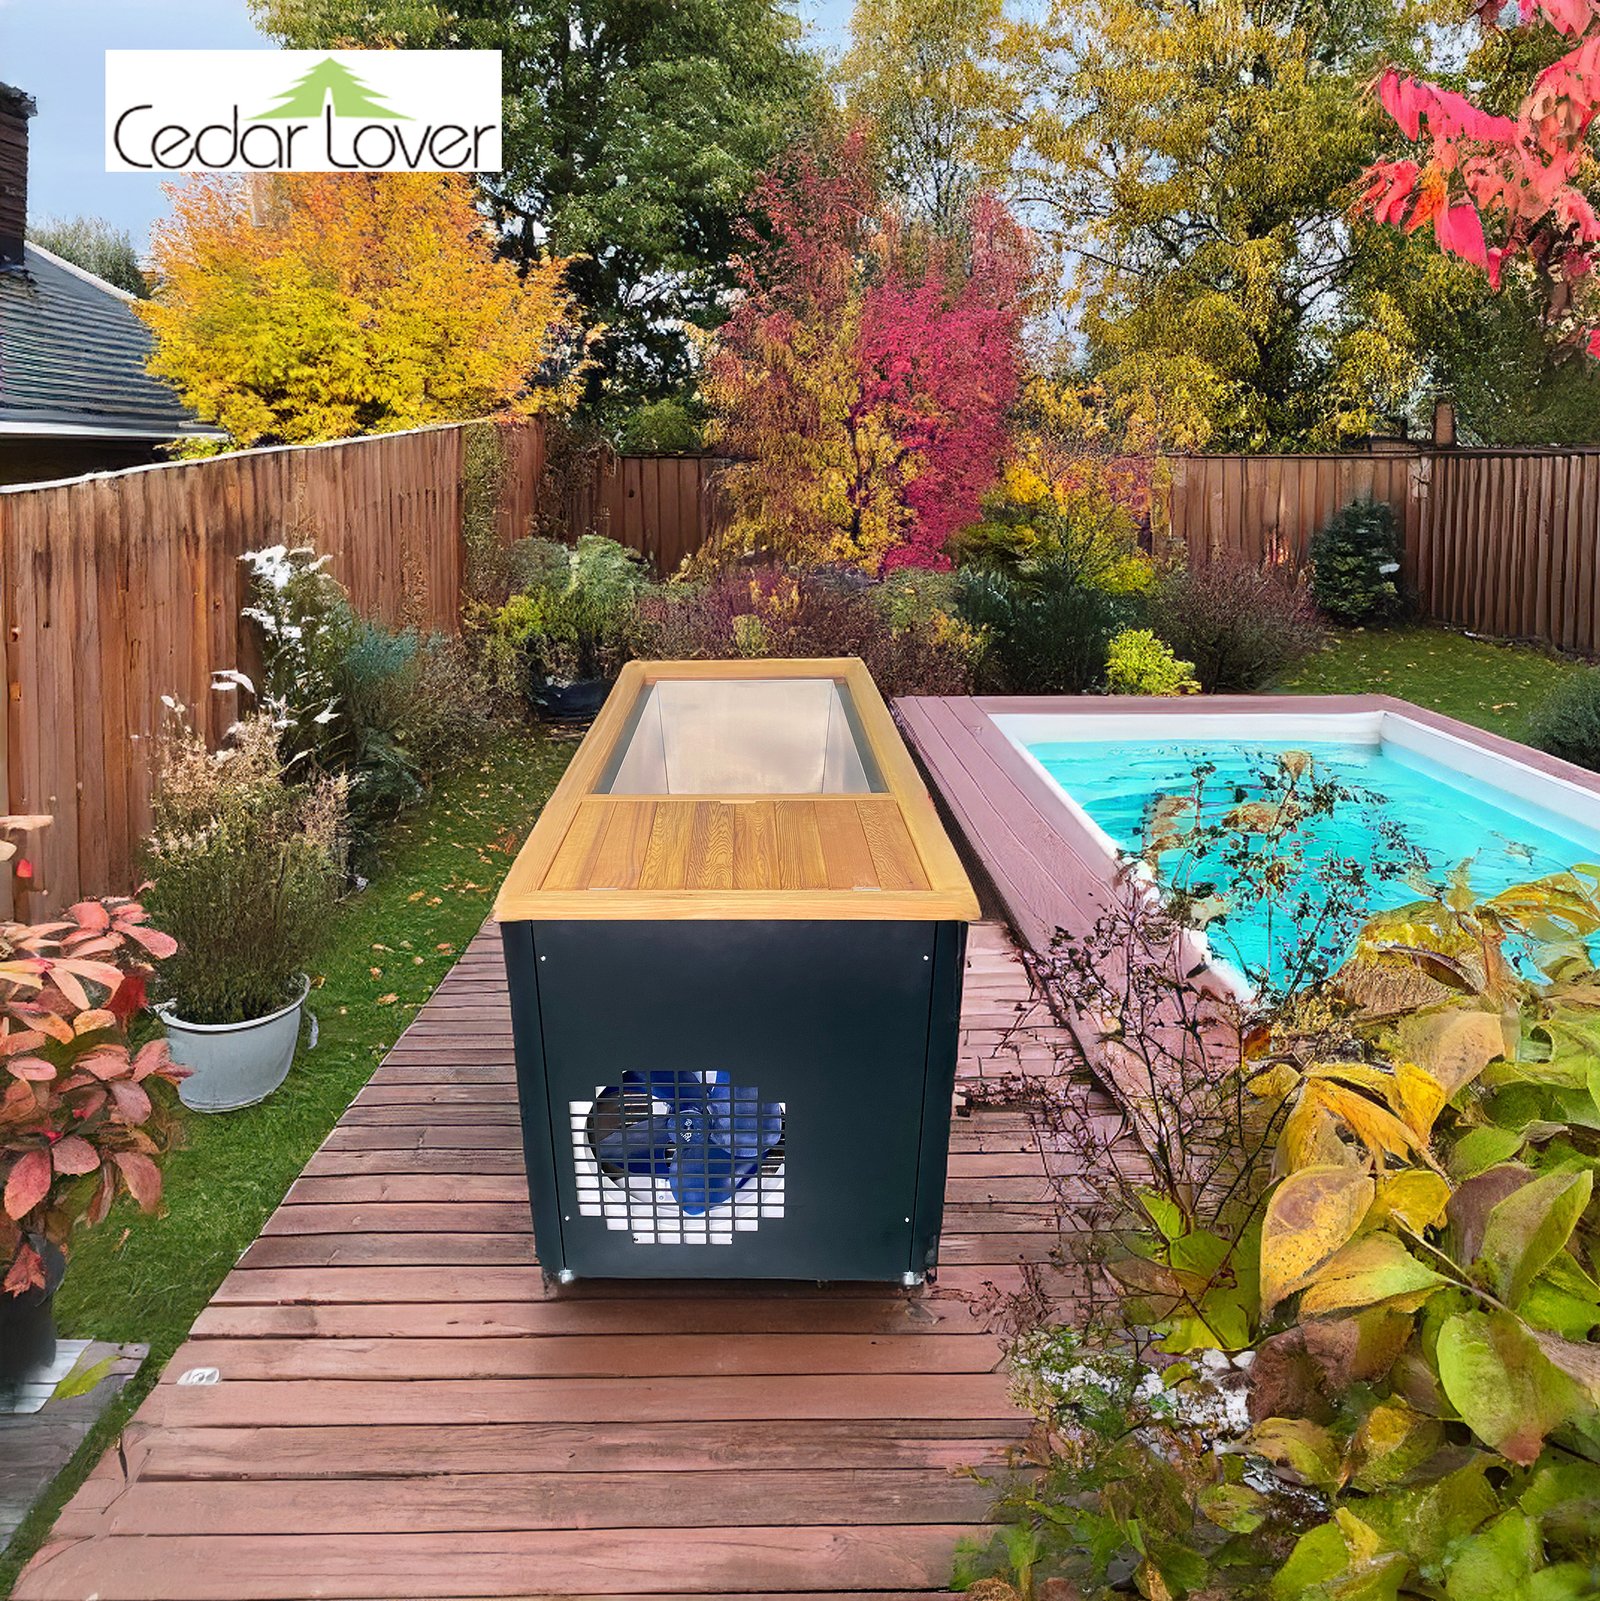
x,y
1047,861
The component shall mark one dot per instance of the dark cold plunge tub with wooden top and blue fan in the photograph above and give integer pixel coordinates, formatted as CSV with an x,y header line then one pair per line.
x,y
736,944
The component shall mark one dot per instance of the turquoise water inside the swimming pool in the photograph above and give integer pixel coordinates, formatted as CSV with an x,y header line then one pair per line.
x,y
1444,816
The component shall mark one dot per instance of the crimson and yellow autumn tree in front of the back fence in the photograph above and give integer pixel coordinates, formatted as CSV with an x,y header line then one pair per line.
x,y
869,367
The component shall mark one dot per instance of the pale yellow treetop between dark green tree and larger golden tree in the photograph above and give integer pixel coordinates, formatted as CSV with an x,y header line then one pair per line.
x,y
922,78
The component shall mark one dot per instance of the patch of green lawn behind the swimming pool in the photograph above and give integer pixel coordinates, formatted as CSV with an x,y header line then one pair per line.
x,y
1482,683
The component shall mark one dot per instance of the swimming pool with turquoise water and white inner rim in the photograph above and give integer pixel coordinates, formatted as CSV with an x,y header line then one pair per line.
x,y
1452,801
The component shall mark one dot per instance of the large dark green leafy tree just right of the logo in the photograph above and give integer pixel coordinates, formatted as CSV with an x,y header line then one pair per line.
x,y
633,132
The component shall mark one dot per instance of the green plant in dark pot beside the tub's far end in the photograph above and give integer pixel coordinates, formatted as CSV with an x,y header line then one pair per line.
x,y
573,620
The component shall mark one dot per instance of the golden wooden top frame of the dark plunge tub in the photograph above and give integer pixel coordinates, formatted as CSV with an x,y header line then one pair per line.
x,y
878,856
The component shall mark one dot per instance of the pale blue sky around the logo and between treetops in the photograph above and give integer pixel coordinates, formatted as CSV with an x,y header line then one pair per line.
x,y
54,50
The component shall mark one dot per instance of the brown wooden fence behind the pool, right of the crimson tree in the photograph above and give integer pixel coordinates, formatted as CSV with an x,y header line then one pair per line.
x,y
1497,542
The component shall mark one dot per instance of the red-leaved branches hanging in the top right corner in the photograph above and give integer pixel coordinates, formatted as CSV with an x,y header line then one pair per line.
x,y
1508,190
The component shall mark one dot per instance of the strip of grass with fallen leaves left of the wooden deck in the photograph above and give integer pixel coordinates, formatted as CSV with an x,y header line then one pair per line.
x,y
148,1278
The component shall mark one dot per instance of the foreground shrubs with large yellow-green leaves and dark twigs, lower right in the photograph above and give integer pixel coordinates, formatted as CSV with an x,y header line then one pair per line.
x,y
1354,1342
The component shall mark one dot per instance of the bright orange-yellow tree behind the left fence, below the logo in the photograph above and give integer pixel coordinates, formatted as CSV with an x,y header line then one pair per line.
x,y
352,305
